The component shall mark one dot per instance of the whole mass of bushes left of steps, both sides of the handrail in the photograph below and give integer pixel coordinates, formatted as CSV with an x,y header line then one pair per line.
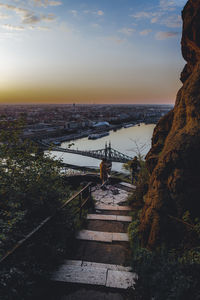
x,y
31,189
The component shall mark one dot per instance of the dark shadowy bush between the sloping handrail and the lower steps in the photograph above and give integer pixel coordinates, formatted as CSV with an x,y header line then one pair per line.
x,y
24,273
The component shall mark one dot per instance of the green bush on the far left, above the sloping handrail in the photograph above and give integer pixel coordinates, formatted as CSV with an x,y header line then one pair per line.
x,y
31,186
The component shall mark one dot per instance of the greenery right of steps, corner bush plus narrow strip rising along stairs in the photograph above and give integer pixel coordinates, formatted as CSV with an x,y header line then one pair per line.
x,y
164,274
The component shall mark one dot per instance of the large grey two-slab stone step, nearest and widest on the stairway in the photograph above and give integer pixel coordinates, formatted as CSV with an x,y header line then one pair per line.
x,y
80,272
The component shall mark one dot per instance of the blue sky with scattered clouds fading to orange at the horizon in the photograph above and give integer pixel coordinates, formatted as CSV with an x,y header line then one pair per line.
x,y
90,51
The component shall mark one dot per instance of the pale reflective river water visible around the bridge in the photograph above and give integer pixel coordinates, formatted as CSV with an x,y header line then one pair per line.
x,y
129,141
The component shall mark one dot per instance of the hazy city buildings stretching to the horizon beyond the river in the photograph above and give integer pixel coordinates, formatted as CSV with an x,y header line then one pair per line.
x,y
72,121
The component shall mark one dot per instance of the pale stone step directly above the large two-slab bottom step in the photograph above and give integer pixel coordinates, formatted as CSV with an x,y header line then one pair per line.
x,y
98,236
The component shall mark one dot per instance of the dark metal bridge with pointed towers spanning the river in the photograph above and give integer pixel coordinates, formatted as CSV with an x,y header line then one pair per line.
x,y
108,152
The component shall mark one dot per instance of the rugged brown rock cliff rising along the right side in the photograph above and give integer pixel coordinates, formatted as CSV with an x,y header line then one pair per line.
x,y
174,159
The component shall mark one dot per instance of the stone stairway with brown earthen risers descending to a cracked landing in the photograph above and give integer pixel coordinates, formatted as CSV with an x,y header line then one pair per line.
x,y
97,268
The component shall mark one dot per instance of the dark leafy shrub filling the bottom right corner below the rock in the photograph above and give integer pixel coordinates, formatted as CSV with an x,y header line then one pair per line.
x,y
162,275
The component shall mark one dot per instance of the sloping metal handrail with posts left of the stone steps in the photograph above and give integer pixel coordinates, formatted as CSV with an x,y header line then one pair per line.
x,y
48,219
